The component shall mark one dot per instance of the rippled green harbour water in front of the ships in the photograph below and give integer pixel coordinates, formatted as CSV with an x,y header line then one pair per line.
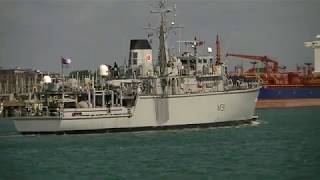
x,y
282,144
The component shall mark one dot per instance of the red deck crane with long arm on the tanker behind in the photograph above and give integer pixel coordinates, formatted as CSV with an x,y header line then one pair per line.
x,y
264,59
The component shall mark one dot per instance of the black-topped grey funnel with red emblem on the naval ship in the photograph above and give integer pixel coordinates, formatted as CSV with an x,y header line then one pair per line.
x,y
140,57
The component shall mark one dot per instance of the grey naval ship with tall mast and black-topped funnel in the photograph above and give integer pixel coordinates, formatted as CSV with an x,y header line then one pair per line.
x,y
180,91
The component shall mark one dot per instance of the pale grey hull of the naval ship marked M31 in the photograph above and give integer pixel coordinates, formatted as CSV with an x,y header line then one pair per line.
x,y
154,112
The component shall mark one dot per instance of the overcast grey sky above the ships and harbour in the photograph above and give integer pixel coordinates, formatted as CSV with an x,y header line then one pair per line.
x,y
34,34
